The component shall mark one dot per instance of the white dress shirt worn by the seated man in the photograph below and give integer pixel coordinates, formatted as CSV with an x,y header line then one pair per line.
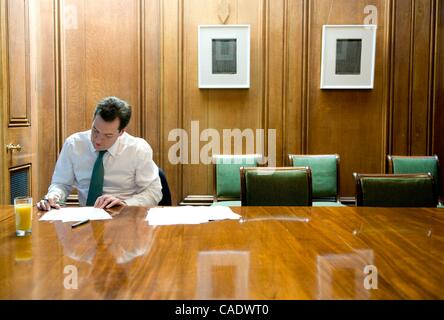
x,y
130,172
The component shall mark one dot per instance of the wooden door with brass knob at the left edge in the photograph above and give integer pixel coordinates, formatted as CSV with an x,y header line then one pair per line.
x,y
17,139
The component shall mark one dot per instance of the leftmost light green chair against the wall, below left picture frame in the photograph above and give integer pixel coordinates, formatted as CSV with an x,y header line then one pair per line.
x,y
226,174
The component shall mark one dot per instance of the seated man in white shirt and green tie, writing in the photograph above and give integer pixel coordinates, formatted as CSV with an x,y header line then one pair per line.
x,y
128,176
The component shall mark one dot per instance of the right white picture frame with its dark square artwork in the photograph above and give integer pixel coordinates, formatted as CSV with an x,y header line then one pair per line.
x,y
356,44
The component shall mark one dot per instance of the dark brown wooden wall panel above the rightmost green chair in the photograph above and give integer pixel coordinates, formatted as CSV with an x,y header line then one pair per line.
x,y
413,77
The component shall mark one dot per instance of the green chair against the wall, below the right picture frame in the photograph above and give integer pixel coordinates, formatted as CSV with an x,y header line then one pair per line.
x,y
325,173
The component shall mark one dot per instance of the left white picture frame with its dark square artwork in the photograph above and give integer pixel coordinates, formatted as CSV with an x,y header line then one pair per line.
x,y
224,56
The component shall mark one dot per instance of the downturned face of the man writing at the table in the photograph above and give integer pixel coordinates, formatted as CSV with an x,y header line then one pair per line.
x,y
104,134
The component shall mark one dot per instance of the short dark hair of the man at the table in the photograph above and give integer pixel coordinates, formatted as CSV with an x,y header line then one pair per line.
x,y
111,108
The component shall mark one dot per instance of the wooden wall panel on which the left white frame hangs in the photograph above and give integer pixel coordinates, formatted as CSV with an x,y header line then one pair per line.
x,y
219,109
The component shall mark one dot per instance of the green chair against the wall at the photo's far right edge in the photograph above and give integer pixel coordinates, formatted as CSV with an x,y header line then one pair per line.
x,y
416,164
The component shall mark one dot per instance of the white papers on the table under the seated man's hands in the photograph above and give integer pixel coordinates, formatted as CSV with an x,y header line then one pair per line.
x,y
75,214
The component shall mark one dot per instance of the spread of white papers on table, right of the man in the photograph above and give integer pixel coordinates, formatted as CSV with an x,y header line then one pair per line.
x,y
188,215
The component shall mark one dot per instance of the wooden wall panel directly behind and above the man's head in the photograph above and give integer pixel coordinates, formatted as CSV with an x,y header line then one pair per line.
x,y
100,55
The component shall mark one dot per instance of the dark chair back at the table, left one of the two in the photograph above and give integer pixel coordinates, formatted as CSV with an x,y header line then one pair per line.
x,y
267,186
